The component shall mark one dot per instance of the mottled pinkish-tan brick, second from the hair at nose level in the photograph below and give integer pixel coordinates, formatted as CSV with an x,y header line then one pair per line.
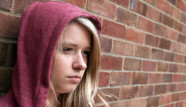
x,y
132,64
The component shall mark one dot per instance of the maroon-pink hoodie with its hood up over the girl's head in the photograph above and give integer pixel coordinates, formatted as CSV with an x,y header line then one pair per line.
x,y
41,26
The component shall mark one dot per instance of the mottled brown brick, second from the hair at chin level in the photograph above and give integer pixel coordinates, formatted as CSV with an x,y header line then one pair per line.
x,y
128,92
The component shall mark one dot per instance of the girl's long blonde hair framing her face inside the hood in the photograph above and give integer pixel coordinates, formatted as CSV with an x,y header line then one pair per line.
x,y
85,93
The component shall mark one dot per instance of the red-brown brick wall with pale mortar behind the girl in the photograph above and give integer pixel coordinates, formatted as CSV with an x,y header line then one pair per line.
x,y
143,43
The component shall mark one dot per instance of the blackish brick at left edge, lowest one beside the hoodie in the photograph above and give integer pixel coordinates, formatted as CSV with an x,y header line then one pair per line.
x,y
5,80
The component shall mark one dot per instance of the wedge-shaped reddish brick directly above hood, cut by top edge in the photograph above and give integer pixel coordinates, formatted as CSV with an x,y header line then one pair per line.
x,y
80,3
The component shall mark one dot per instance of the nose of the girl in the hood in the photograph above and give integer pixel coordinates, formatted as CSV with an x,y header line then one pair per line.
x,y
79,63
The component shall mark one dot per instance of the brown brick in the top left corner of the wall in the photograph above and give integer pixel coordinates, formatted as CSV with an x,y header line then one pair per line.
x,y
6,4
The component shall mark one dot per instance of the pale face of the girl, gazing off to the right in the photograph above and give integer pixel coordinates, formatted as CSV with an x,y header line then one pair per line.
x,y
71,60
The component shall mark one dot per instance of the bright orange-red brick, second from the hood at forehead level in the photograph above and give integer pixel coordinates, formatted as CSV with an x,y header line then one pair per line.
x,y
135,36
